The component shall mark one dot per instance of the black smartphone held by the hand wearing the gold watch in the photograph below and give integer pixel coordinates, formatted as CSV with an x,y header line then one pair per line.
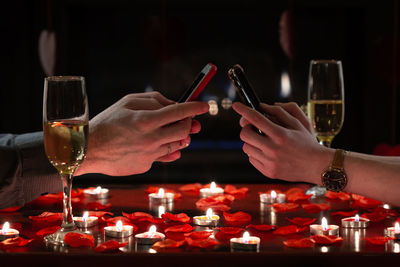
x,y
243,87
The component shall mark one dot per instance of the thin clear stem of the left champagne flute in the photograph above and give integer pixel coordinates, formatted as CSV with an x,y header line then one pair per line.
x,y
68,221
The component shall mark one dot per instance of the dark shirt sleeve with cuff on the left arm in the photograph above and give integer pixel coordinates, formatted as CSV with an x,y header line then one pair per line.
x,y
25,172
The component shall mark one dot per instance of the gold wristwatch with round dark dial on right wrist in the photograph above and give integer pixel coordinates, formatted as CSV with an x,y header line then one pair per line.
x,y
335,178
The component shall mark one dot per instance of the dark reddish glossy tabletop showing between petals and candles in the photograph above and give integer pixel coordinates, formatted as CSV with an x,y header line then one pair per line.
x,y
131,198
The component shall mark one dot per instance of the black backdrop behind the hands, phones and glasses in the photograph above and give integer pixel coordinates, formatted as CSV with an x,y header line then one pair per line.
x,y
125,47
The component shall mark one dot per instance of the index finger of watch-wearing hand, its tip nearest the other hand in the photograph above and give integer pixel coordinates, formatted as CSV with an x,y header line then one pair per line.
x,y
258,120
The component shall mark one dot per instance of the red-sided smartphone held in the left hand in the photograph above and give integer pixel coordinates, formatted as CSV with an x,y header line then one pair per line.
x,y
199,83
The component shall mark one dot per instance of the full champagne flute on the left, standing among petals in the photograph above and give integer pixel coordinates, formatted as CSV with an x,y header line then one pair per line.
x,y
65,129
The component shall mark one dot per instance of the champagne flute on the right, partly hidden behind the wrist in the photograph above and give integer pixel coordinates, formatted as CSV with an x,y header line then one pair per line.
x,y
325,105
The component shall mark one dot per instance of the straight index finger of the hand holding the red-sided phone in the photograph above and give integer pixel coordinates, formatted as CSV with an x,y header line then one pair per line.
x,y
174,113
